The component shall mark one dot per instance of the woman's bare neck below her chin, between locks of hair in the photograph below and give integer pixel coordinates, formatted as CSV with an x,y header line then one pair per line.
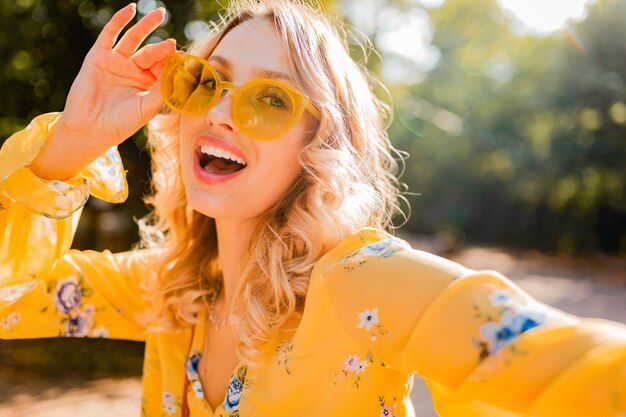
x,y
233,240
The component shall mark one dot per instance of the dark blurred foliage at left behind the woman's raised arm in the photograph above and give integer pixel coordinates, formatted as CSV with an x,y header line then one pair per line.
x,y
37,71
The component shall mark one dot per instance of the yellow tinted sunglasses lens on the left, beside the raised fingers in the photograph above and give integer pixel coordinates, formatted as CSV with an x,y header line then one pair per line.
x,y
189,86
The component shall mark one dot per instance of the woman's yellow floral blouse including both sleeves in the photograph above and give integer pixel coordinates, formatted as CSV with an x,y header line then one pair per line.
x,y
377,312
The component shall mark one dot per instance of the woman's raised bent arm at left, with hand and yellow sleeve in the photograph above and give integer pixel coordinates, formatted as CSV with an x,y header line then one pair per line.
x,y
47,172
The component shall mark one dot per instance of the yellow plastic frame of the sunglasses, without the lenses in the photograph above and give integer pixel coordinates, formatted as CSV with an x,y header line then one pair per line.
x,y
300,101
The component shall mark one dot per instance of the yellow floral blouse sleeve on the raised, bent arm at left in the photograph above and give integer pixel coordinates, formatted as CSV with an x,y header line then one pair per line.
x,y
46,289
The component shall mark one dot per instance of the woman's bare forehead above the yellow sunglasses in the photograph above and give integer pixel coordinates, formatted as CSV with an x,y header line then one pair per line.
x,y
253,44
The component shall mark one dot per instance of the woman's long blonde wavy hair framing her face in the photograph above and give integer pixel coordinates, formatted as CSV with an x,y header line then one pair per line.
x,y
348,180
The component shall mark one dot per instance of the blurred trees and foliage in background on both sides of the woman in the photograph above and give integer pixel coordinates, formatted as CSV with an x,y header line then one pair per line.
x,y
514,139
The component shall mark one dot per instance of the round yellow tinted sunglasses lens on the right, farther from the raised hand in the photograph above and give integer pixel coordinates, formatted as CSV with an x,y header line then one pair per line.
x,y
265,111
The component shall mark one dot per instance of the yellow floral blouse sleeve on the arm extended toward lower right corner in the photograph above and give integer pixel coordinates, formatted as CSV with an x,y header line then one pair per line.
x,y
483,346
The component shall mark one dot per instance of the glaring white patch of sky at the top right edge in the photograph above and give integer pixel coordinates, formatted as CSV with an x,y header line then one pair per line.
x,y
547,16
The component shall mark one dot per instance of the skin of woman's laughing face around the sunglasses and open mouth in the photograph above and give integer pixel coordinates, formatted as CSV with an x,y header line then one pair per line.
x,y
245,52
